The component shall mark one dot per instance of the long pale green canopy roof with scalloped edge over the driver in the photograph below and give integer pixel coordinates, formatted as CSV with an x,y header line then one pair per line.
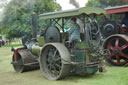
x,y
73,12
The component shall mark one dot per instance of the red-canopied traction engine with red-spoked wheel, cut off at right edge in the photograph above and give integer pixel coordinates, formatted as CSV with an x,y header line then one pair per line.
x,y
117,35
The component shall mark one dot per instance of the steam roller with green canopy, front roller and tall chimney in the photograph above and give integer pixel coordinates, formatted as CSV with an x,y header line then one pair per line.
x,y
52,52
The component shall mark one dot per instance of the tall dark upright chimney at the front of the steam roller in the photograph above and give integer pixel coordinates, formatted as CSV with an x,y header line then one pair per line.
x,y
34,26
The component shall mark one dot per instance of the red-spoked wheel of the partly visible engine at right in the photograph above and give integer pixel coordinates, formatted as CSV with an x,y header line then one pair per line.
x,y
118,48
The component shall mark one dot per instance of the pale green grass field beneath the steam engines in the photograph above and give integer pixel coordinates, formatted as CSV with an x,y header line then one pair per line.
x,y
113,76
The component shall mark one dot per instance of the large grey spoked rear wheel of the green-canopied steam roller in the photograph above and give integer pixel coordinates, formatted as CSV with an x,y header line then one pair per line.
x,y
52,61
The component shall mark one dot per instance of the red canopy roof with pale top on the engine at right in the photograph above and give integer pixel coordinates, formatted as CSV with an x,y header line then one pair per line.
x,y
117,9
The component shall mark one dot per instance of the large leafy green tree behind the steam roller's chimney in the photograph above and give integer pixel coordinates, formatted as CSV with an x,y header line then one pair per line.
x,y
17,16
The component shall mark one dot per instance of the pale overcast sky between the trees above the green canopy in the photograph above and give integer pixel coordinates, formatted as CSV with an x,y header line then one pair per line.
x,y
65,4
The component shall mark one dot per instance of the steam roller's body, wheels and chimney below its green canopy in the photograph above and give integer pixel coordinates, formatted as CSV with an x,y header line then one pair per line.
x,y
54,55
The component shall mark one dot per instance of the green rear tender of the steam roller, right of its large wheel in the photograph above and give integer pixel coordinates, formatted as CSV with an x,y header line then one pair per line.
x,y
82,57
